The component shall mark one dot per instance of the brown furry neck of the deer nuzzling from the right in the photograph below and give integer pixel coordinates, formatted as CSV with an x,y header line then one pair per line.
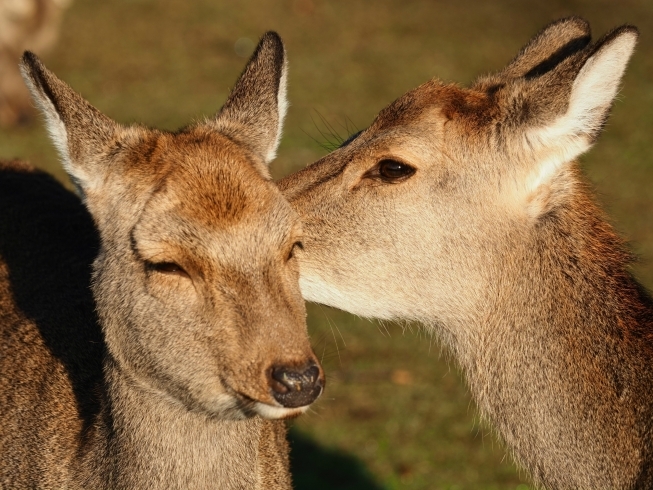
x,y
559,359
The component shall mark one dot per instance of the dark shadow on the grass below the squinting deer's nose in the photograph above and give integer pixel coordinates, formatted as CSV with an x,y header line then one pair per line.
x,y
316,468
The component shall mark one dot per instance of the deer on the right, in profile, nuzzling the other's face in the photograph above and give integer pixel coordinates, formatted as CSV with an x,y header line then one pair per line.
x,y
464,209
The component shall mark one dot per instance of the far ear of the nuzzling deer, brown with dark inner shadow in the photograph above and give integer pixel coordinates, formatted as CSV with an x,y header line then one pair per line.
x,y
551,45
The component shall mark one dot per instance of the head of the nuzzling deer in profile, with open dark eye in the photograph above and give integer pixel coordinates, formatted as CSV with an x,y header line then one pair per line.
x,y
418,215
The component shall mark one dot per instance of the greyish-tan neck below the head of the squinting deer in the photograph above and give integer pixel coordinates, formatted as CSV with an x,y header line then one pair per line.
x,y
145,439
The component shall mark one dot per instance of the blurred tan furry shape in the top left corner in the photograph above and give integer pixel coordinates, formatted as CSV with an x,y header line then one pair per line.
x,y
24,24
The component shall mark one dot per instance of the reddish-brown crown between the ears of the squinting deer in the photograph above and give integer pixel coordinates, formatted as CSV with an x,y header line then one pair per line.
x,y
203,175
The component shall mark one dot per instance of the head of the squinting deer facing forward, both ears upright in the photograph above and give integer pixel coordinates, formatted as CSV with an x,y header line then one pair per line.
x,y
196,281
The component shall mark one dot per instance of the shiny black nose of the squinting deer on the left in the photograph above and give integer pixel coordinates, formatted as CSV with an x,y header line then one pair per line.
x,y
293,387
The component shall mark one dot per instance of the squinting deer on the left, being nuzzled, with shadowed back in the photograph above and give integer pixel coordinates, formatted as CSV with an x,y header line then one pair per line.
x,y
152,332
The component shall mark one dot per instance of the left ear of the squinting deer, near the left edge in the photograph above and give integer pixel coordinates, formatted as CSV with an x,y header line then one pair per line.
x,y
78,130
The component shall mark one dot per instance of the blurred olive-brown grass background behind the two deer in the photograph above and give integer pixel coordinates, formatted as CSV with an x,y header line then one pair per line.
x,y
395,414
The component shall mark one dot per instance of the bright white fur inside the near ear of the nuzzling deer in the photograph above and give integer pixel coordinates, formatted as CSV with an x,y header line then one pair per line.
x,y
592,93
